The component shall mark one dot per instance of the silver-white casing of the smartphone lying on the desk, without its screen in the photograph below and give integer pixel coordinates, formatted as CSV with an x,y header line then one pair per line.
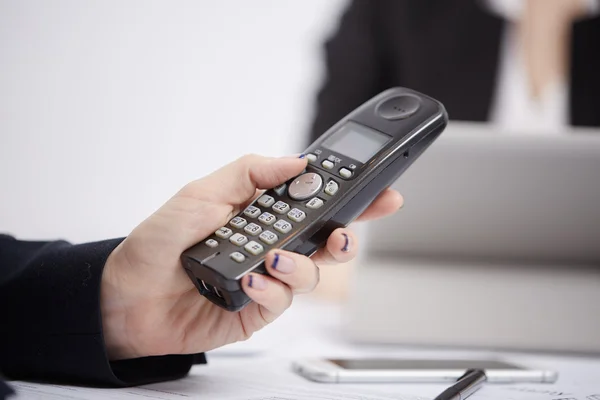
x,y
326,371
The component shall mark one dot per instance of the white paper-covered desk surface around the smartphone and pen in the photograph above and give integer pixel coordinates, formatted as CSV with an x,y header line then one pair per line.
x,y
259,369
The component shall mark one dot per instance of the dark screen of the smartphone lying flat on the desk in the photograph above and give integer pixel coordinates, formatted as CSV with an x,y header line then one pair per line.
x,y
391,364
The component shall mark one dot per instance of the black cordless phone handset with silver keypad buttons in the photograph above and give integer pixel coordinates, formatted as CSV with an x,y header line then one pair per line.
x,y
348,166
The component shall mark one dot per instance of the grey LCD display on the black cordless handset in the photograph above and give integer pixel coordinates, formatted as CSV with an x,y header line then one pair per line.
x,y
356,141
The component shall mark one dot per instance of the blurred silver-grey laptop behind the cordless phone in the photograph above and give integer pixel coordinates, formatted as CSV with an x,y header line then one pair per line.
x,y
497,246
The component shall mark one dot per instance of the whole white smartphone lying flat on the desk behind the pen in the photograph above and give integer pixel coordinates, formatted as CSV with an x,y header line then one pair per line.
x,y
415,371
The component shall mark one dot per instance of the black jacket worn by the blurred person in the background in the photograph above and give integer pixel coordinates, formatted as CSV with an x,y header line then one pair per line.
x,y
448,49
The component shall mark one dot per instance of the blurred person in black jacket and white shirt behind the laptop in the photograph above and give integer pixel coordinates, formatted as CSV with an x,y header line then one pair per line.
x,y
527,65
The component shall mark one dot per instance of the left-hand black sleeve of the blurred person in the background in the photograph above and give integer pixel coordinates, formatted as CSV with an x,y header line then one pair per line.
x,y
354,65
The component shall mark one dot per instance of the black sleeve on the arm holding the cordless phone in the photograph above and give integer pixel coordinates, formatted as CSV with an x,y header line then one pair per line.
x,y
50,320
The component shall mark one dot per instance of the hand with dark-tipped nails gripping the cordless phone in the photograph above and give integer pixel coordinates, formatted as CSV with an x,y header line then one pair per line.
x,y
149,305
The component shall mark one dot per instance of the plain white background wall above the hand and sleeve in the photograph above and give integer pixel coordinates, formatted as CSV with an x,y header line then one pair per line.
x,y
108,107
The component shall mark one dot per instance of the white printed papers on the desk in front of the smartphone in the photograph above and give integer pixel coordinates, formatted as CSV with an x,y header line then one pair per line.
x,y
268,379
